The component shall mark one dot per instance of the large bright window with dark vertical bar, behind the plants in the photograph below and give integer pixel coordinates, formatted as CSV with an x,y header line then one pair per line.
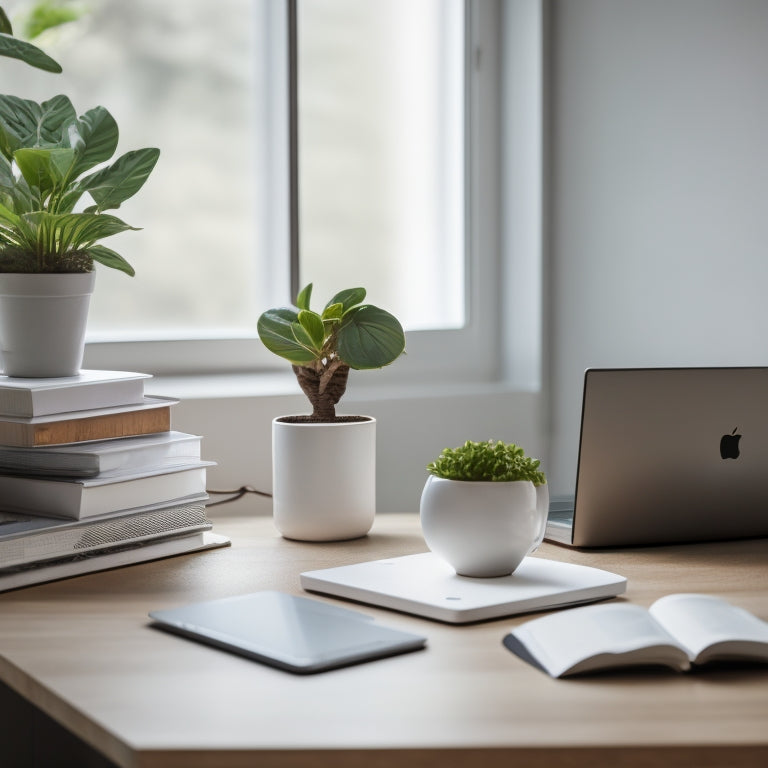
x,y
395,132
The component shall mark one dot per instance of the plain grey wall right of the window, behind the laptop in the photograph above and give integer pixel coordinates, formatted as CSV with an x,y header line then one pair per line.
x,y
658,204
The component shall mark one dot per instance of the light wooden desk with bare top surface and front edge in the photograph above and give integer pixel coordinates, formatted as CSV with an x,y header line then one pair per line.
x,y
81,651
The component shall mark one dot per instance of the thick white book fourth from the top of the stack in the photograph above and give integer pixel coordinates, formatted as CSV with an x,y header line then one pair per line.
x,y
89,497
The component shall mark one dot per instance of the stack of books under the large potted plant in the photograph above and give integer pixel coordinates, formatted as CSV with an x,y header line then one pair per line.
x,y
92,476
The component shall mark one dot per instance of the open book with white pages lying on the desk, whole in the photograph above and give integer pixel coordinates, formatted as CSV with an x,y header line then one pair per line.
x,y
676,631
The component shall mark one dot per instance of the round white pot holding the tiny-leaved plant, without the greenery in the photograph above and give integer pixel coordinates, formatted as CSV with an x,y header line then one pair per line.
x,y
483,529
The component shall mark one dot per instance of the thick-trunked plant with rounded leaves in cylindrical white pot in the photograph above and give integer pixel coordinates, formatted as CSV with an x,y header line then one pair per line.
x,y
324,463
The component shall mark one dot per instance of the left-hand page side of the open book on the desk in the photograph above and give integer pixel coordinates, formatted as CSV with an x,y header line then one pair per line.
x,y
598,636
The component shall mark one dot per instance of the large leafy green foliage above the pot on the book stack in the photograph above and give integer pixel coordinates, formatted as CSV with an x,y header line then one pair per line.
x,y
46,154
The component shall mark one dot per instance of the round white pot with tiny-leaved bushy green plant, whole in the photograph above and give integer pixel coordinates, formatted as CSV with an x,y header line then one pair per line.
x,y
484,507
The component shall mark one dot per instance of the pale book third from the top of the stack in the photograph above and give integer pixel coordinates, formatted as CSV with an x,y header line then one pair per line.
x,y
102,457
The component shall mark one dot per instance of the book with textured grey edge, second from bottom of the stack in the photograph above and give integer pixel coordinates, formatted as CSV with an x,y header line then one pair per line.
x,y
31,539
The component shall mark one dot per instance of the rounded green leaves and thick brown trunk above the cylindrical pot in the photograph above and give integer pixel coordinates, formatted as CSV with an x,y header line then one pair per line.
x,y
323,346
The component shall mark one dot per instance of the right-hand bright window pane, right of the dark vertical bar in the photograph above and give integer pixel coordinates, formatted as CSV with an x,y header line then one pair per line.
x,y
381,154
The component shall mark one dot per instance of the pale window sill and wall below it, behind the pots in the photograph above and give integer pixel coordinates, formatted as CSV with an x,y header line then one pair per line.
x,y
234,413
